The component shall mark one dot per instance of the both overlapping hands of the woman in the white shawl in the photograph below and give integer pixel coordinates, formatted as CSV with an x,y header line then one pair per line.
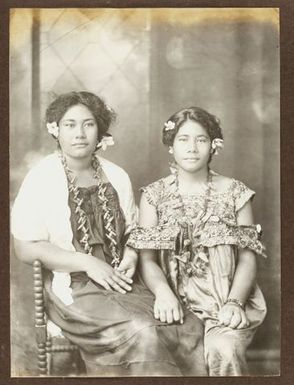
x,y
119,279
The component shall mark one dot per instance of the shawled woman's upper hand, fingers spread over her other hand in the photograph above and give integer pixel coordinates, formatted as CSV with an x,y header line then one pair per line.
x,y
111,279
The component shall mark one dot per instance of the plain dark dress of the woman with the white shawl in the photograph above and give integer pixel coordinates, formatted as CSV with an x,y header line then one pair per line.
x,y
117,333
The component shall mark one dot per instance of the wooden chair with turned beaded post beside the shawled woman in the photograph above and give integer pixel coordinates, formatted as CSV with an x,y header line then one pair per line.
x,y
56,355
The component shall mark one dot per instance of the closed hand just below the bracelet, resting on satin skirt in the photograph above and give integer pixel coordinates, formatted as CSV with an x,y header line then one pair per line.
x,y
233,316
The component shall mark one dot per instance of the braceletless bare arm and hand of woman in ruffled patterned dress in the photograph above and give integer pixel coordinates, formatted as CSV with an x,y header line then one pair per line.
x,y
166,307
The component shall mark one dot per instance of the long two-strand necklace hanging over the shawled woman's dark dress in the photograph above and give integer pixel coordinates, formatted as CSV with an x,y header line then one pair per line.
x,y
108,218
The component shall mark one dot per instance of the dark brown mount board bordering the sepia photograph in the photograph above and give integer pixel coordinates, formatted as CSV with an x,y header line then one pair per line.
x,y
287,201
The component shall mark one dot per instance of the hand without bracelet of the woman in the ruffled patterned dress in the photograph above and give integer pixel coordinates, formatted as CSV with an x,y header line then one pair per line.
x,y
167,307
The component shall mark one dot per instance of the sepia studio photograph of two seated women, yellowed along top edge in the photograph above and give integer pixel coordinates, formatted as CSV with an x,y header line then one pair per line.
x,y
145,212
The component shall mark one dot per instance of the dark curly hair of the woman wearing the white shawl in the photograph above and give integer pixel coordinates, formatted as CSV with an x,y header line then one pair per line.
x,y
103,115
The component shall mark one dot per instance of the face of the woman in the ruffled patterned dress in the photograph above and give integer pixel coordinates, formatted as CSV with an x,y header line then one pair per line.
x,y
191,147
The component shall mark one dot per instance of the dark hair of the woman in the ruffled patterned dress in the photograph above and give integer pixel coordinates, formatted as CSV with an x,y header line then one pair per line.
x,y
208,121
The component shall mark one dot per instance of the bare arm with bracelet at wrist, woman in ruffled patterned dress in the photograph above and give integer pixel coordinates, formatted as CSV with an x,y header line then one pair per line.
x,y
244,278
